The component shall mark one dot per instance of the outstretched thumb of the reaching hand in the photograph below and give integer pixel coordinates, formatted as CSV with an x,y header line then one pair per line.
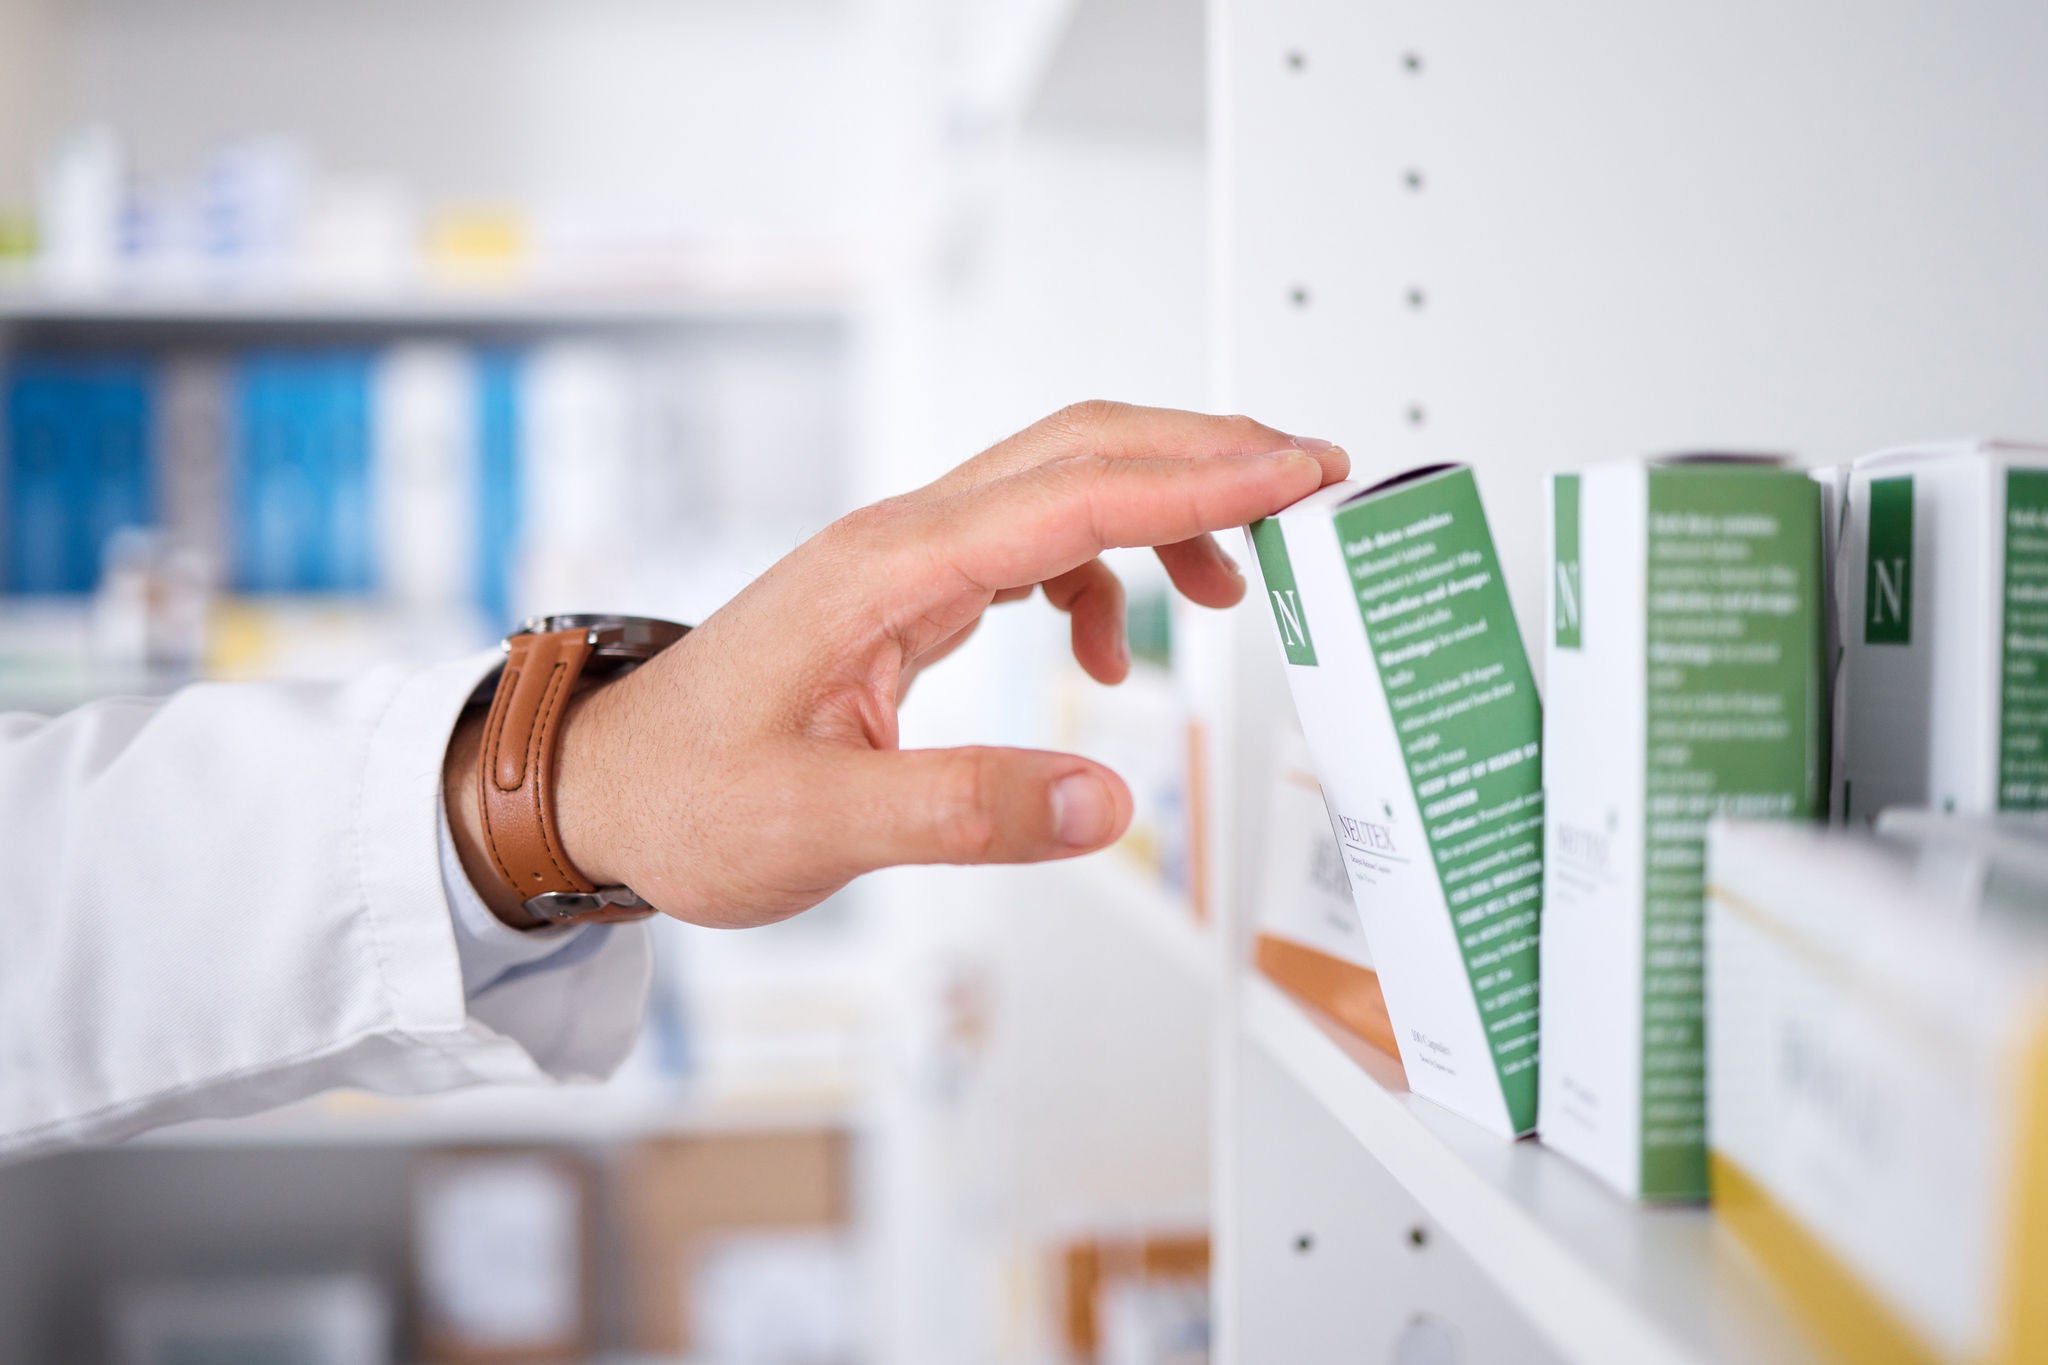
x,y
978,807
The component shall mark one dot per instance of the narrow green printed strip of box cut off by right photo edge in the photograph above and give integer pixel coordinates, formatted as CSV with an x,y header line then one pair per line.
x,y
2024,664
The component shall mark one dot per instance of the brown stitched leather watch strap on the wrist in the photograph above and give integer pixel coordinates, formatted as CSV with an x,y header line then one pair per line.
x,y
517,775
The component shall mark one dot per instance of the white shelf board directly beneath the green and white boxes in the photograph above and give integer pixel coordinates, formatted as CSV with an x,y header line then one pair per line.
x,y
1598,1276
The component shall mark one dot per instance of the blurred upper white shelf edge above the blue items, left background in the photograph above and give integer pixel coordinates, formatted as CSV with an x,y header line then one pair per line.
x,y
26,304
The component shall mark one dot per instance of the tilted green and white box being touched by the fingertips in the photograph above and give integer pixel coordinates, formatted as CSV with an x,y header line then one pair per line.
x,y
1416,697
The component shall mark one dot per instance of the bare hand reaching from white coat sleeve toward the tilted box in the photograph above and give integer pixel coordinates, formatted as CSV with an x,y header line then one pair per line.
x,y
753,770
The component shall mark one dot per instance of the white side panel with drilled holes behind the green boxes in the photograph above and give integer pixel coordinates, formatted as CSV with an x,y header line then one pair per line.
x,y
1537,236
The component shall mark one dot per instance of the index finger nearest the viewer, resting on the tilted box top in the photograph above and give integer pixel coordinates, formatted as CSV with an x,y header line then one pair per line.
x,y
1041,523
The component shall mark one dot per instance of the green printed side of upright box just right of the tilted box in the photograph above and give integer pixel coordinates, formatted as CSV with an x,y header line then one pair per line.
x,y
1736,701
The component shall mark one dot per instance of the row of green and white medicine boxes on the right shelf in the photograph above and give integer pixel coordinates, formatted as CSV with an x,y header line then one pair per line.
x,y
1725,640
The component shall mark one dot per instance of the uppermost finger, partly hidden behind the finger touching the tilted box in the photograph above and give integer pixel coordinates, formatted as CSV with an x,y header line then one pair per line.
x,y
1127,433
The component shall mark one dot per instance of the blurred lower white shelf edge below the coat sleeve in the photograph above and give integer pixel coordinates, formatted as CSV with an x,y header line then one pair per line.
x,y
511,1116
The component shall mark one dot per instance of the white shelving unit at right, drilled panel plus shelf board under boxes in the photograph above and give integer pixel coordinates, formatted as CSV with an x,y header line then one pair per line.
x,y
1535,238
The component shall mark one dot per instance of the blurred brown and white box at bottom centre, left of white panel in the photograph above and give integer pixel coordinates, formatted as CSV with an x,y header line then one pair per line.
x,y
1136,1301
